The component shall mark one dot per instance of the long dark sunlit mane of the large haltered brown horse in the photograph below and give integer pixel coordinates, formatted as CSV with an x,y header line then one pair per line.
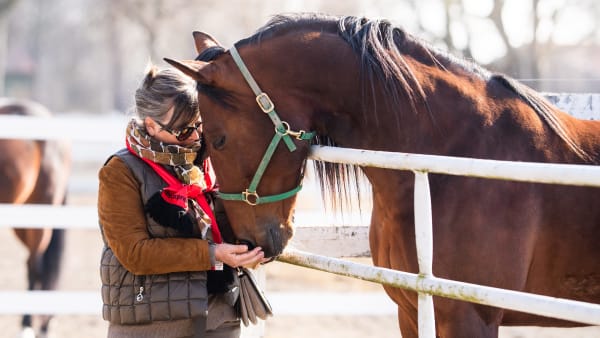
x,y
380,47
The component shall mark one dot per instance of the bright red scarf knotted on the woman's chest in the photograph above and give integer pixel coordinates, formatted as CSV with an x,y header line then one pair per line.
x,y
177,193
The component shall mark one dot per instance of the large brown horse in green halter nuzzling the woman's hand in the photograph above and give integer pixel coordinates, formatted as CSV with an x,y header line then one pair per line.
x,y
365,84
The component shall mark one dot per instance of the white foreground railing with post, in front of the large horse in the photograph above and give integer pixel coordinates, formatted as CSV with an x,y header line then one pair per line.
x,y
424,282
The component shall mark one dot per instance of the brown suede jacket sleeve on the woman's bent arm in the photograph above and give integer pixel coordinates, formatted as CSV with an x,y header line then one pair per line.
x,y
121,214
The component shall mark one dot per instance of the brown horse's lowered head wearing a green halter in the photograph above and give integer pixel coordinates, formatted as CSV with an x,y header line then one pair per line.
x,y
258,152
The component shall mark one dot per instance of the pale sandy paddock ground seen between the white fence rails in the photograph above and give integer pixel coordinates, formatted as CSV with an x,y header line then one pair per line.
x,y
80,273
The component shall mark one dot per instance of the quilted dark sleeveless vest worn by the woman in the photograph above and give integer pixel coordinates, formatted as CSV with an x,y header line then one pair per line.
x,y
134,299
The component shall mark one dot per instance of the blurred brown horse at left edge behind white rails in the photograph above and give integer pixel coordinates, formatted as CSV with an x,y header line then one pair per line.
x,y
35,172
